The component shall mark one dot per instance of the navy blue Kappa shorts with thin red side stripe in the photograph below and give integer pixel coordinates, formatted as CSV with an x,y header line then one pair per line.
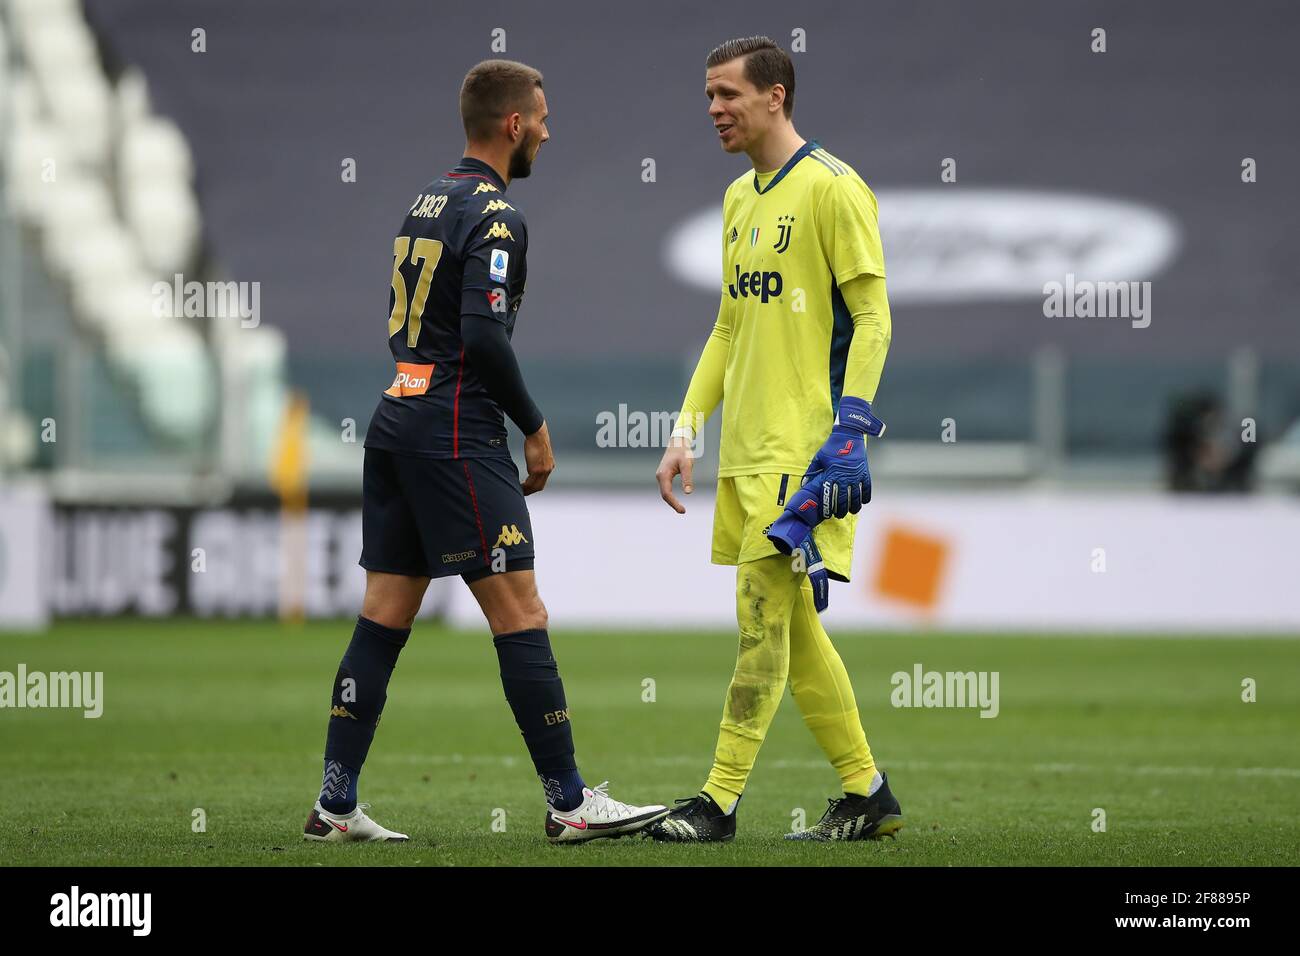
x,y
440,517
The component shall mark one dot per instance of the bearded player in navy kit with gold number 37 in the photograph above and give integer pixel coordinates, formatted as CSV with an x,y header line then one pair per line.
x,y
441,495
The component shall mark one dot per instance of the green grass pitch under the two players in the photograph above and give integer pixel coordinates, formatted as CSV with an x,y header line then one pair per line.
x,y
231,717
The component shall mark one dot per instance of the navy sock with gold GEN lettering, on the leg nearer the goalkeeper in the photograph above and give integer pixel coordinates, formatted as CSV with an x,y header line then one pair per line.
x,y
536,694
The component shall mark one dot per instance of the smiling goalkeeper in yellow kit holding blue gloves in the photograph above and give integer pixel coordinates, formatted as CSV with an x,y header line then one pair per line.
x,y
795,357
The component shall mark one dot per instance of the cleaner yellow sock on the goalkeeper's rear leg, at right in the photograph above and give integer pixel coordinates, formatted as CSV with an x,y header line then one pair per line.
x,y
821,687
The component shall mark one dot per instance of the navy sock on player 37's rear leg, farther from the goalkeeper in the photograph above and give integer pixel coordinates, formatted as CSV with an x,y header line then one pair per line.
x,y
361,690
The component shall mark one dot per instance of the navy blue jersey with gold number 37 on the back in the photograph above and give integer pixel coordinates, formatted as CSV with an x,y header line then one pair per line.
x,y
461,252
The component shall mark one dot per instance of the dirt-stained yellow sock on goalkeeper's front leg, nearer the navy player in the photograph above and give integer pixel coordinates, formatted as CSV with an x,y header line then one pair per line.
x,y
766,592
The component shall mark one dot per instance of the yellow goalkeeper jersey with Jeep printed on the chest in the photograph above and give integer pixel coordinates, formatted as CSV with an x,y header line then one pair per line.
x,y
791,240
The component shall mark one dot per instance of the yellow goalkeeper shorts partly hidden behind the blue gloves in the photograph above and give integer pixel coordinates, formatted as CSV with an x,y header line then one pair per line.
x,y
747,508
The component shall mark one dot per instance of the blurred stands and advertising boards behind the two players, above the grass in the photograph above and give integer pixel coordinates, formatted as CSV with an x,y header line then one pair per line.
x,y
151,145
